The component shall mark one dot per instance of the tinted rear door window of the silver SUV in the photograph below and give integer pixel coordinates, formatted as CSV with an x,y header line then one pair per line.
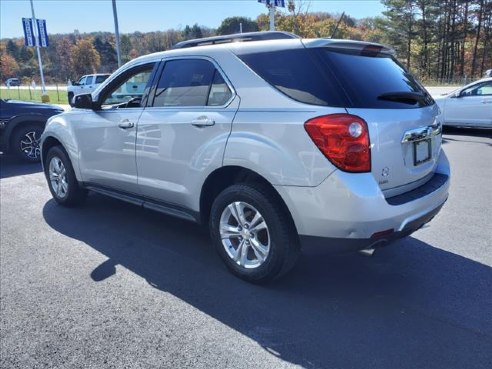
x,y
190,82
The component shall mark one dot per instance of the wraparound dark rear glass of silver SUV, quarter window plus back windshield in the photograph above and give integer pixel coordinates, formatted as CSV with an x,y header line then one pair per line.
x,y
340,78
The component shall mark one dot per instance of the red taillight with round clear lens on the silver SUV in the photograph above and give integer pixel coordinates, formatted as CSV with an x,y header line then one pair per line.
x,y
343,139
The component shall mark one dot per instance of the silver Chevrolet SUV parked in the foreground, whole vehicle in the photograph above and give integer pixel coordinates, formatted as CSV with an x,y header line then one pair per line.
x,y
271,140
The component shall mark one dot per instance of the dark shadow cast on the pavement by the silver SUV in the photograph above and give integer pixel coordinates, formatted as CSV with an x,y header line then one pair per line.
x,y
409,306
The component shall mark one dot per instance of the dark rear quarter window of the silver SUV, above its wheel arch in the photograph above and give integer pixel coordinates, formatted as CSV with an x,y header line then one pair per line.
x,y
297,74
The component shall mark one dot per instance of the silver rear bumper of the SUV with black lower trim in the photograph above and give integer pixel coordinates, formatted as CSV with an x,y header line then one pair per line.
x,y
350,211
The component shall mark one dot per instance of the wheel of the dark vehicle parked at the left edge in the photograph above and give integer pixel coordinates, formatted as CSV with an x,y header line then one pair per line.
x,y
25,142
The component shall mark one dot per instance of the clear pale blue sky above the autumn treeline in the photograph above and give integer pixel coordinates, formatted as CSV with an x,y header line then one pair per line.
x,y
64,16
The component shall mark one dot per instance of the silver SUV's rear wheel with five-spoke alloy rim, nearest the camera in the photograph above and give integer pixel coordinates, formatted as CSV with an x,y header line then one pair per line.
x,y
253,233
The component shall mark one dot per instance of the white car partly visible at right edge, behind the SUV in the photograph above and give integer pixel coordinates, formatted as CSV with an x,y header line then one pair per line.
x,y
469,106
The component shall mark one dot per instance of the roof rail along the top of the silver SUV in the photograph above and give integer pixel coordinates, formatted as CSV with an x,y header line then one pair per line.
x,y
238,37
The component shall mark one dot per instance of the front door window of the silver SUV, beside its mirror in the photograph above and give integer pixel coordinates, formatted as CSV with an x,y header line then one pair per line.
x,y
128,89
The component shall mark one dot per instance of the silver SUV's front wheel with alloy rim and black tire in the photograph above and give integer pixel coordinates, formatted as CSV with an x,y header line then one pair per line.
x,y
62,182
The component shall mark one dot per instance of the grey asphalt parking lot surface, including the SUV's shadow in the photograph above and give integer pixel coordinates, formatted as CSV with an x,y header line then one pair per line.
x,y
110,285
